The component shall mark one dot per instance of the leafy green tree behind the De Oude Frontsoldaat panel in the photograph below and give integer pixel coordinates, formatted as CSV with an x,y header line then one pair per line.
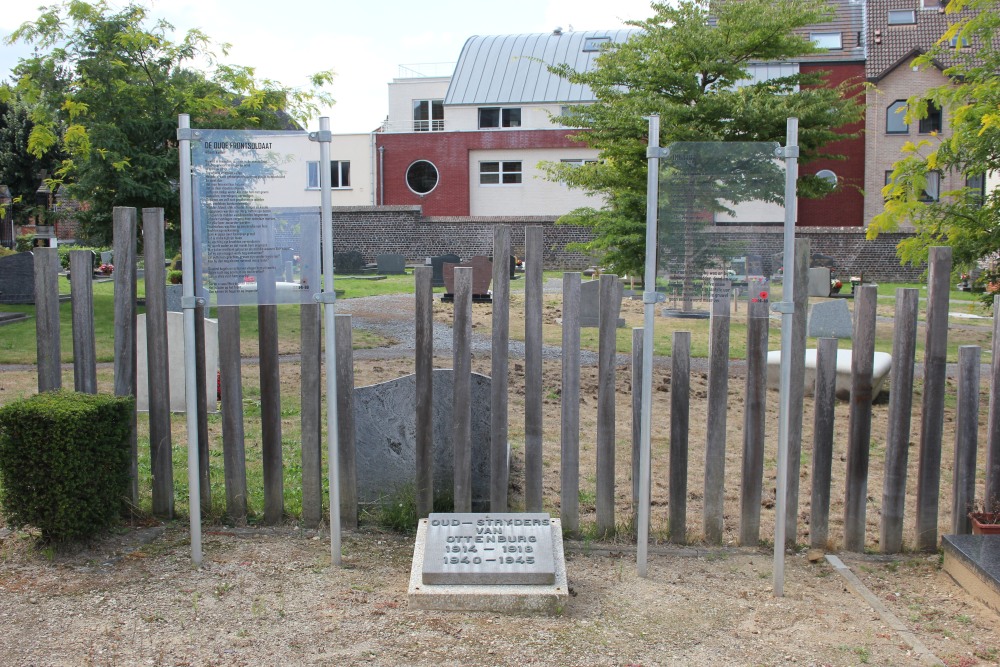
x,y
106,87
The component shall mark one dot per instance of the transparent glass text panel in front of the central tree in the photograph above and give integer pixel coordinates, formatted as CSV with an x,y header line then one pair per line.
x,y
705,188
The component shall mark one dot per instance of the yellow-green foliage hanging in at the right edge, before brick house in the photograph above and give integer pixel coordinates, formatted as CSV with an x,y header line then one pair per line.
x,y
967,218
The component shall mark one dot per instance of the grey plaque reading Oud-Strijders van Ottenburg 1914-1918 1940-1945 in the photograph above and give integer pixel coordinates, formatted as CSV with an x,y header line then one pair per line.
x,y
489,549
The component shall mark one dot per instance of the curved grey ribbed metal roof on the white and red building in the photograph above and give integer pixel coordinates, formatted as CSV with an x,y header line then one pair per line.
x,y
513,69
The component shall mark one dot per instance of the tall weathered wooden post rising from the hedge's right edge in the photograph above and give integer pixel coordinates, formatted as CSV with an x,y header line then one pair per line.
x,y
124,225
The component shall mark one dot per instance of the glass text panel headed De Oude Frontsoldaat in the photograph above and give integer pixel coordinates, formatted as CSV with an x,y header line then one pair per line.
x,y
254,247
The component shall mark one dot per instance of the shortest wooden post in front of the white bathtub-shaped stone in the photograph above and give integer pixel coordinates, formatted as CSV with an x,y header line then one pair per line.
x,y
823,420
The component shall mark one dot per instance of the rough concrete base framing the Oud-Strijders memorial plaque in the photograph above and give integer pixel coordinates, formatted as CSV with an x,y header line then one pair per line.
x,y
547,599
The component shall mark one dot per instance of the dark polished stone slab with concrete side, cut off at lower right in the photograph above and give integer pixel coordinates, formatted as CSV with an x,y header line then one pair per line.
x,y
973,561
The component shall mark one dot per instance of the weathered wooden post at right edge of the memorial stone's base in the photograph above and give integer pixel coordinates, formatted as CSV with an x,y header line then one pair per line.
x,y
569,437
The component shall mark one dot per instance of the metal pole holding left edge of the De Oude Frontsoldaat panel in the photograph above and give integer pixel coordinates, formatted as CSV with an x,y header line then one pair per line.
x,y
189,302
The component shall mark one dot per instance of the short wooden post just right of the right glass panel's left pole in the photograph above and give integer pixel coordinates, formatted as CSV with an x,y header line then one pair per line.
x,y
680,403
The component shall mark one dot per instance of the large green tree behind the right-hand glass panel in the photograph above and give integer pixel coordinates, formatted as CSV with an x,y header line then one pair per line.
x,y
687,65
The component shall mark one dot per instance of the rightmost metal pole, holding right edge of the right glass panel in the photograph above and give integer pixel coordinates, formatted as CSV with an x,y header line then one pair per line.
x,y
787,309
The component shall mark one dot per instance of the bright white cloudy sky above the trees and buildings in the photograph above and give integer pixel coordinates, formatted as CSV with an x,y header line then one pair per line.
x,y
364,42
